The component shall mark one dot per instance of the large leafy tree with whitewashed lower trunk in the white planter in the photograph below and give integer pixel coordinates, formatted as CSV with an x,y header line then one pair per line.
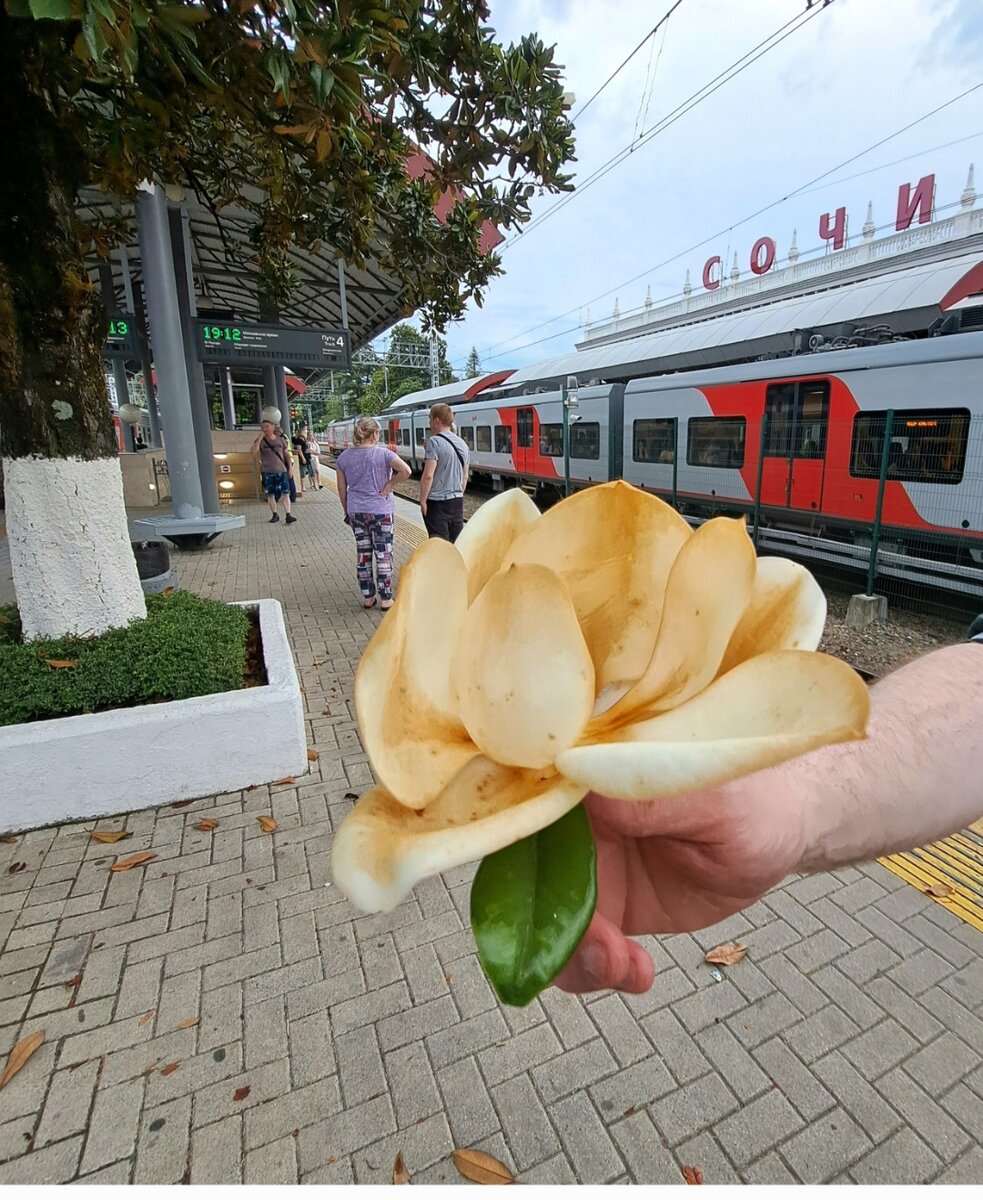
x,y
302,116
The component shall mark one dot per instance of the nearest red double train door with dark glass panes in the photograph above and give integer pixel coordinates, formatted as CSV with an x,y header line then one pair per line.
x,y
795,447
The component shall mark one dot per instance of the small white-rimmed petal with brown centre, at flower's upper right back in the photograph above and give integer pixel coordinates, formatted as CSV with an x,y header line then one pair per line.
x,y
787,613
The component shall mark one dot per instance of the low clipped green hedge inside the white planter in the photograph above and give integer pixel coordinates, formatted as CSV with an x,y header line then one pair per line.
x,y
187,647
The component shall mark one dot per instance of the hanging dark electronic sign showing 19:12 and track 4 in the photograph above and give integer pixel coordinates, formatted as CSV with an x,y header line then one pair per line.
x,y
231,343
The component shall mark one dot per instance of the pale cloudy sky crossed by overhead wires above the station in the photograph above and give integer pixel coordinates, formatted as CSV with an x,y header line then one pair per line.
x,y
852,75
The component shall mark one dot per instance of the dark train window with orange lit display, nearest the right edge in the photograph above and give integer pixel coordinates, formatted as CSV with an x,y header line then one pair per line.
x,y
927,447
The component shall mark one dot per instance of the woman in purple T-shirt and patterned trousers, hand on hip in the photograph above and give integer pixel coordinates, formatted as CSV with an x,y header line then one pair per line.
x,y
367,476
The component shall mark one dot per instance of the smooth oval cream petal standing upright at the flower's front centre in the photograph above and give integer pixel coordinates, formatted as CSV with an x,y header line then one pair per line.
x,y
523,674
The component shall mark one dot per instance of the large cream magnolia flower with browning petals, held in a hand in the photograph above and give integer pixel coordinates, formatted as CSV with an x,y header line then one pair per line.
x,y
601,646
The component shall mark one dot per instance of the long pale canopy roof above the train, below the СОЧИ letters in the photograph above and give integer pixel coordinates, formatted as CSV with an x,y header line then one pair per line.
x,y
907,301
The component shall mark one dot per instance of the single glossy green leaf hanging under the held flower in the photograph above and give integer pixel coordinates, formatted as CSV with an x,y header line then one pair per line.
x,y
531,904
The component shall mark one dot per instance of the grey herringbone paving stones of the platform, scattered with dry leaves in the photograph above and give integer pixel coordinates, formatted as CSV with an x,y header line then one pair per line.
x,y
223,1016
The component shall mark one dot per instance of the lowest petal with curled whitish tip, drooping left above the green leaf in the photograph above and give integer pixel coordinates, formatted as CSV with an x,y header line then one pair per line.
x,y
383,849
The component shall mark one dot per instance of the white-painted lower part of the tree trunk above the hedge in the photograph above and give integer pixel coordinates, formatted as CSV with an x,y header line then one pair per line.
x,y
74,567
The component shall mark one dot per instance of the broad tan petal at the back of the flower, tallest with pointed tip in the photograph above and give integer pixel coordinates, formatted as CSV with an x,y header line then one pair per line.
x,y
614,547
